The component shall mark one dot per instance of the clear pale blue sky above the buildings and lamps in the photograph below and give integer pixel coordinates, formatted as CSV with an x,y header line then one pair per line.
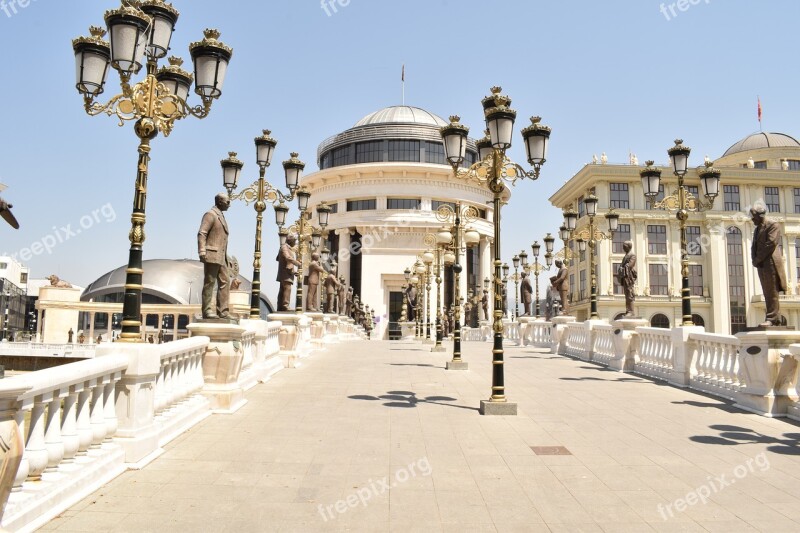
x,y
617,76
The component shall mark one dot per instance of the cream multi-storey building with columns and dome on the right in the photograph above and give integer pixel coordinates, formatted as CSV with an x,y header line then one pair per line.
x,y
726,293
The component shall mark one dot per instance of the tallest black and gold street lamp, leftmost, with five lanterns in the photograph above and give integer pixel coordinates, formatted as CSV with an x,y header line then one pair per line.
x,y
140,33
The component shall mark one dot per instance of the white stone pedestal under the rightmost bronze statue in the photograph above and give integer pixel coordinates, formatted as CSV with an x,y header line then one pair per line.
x,y
770,379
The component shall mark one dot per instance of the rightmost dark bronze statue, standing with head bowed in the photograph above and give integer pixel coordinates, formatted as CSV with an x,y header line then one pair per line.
x,y
767,258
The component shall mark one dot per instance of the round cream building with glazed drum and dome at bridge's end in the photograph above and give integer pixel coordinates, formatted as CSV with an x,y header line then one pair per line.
x,y
385,178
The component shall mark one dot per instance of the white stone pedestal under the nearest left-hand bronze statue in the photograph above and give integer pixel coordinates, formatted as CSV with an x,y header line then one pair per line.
x,y
222,363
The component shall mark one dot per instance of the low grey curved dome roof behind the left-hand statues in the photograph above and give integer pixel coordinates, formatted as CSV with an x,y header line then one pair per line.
x,y
175,281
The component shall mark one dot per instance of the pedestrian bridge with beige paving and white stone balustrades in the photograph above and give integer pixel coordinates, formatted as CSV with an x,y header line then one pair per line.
x,y
617,429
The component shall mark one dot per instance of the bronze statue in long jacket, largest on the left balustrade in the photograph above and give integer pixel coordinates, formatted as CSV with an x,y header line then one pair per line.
x,y
212,247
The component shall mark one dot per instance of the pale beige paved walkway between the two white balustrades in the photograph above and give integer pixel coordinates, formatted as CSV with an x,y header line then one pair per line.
x,y
384,424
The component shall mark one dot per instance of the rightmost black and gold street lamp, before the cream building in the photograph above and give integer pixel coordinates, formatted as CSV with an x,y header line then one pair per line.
x,y
683,202
